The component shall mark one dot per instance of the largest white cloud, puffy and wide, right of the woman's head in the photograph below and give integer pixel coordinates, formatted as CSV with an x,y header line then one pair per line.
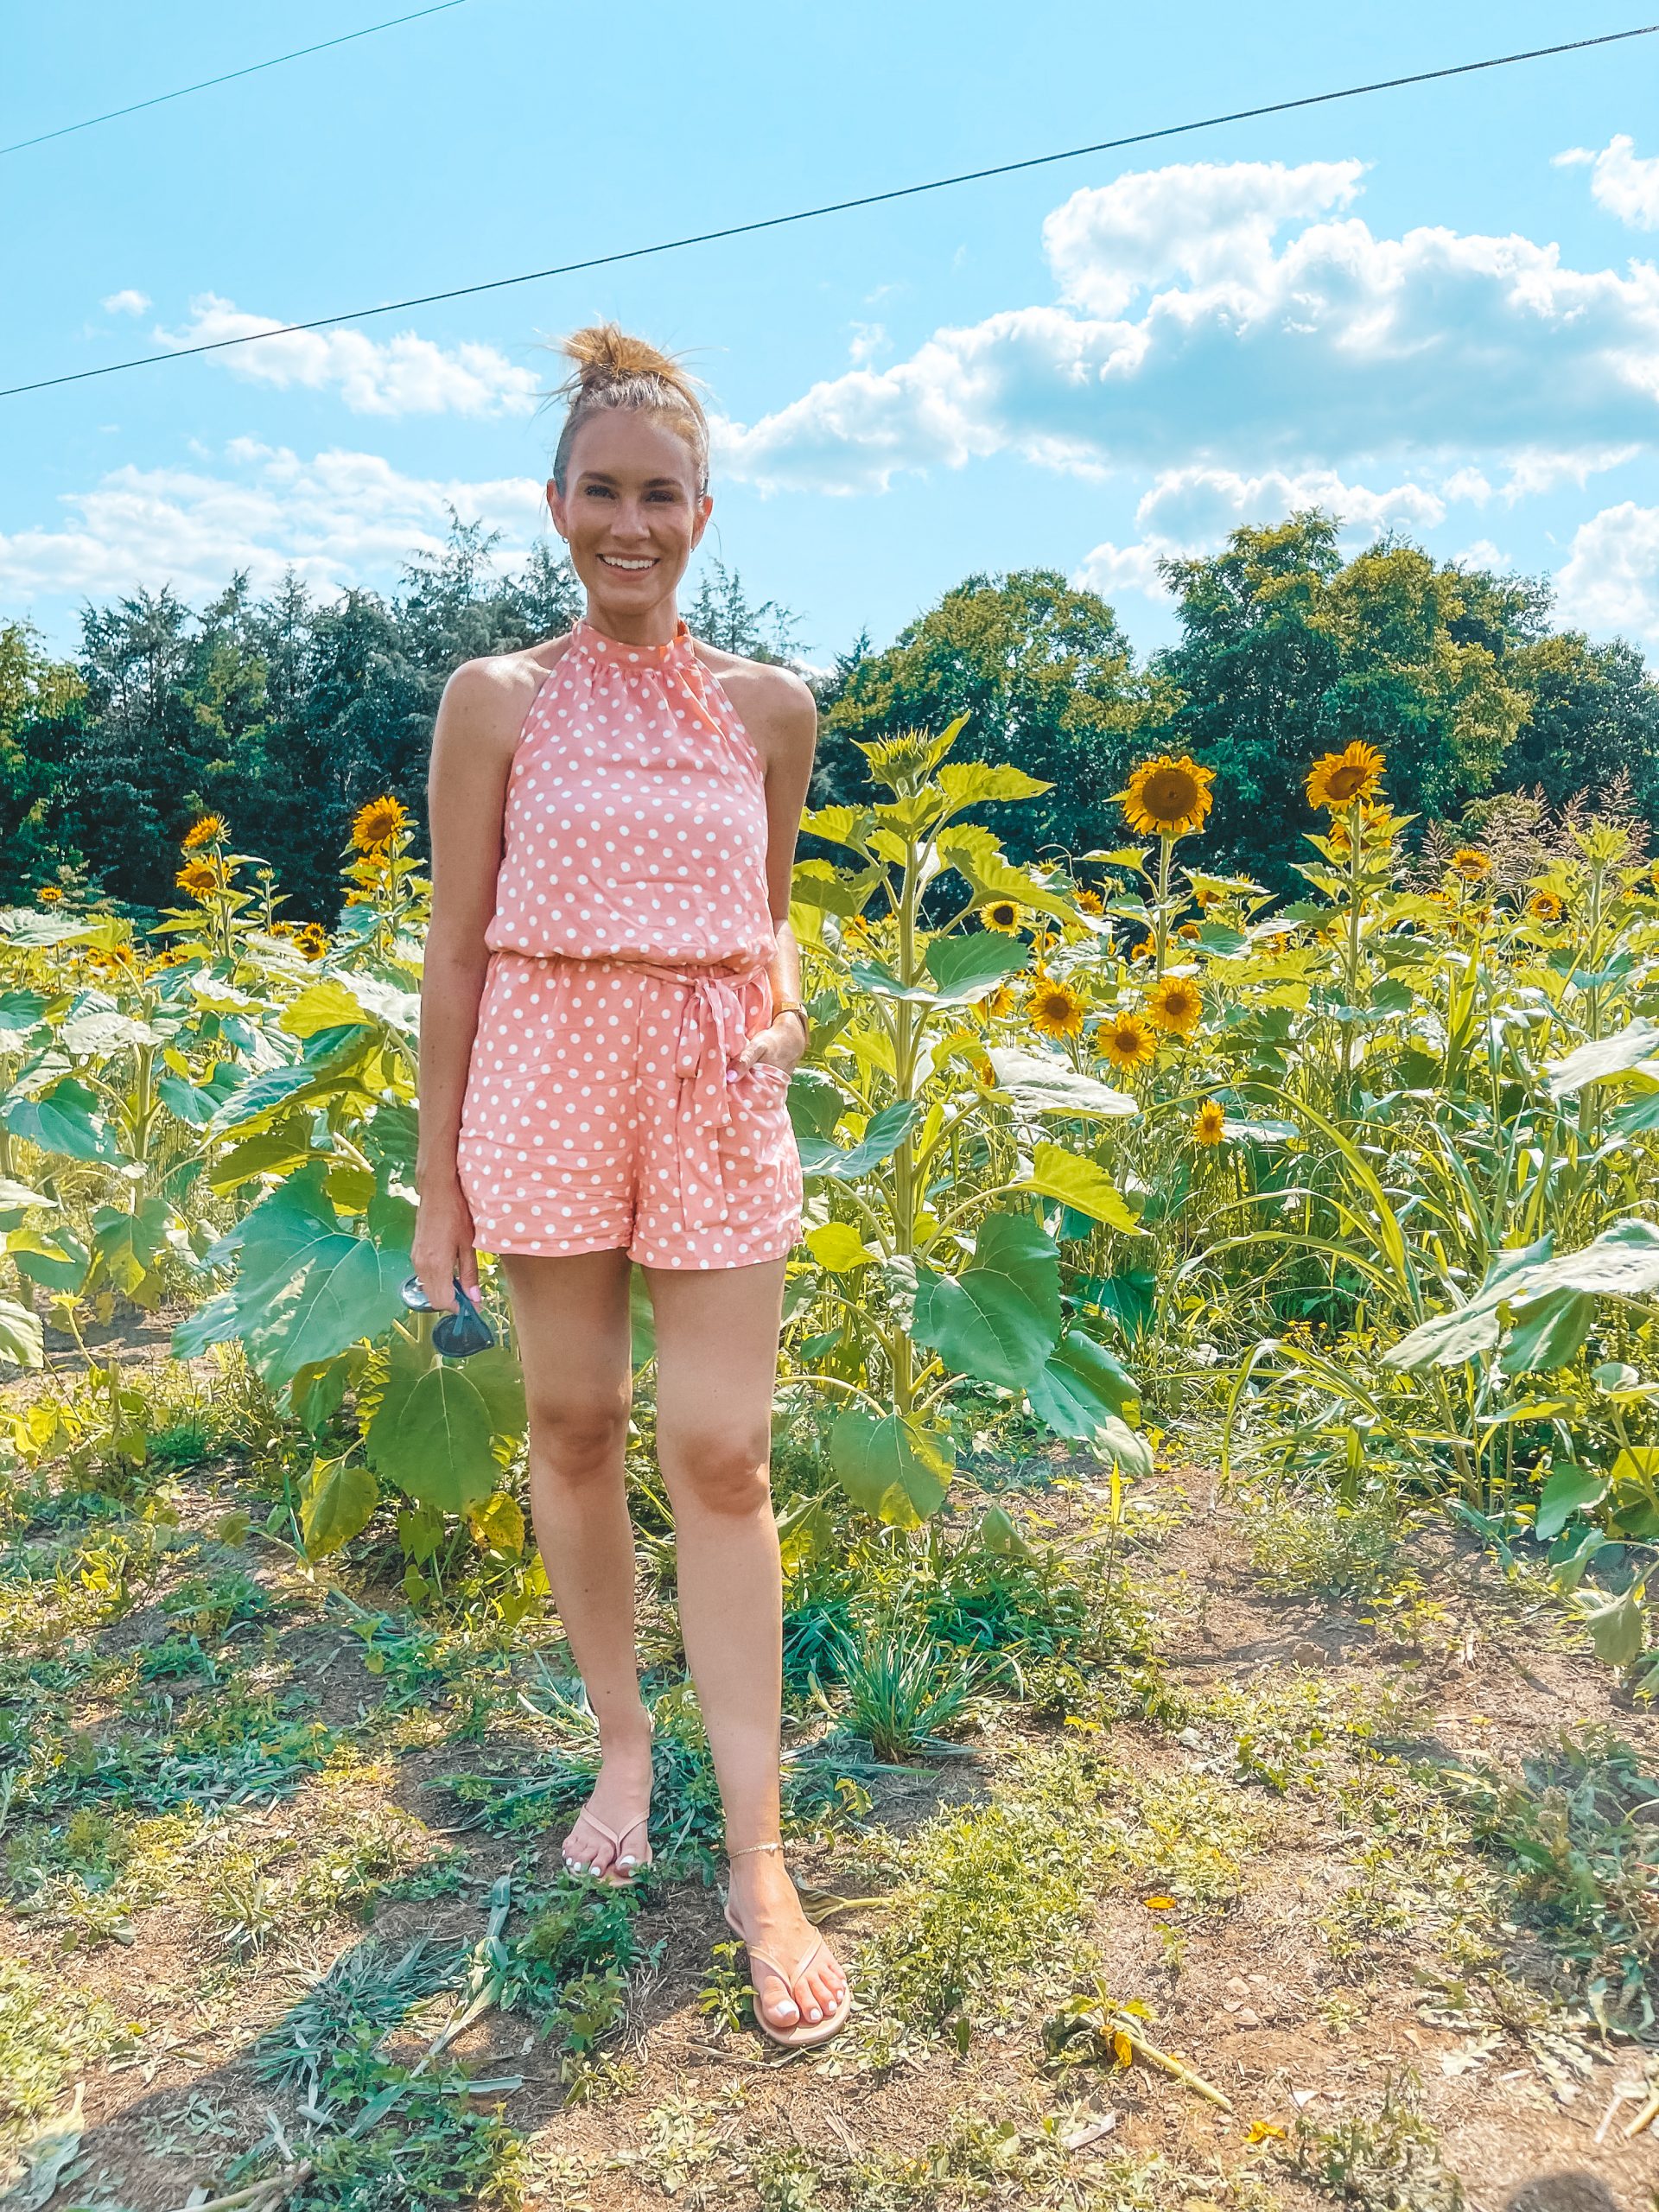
x,y
1322,348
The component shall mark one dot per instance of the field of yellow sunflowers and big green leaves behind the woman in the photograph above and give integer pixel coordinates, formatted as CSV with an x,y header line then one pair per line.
x,y
1364,1182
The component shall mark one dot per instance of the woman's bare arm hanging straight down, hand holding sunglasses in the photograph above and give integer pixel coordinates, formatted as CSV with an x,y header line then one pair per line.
x,y
472,755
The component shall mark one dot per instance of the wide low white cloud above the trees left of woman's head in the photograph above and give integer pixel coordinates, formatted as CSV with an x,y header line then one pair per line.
x,y
337,519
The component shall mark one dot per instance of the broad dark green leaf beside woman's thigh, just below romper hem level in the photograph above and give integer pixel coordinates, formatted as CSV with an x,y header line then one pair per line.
x,y
1001,1317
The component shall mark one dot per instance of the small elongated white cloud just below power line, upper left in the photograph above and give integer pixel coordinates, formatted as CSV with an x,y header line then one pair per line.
x,y
388,377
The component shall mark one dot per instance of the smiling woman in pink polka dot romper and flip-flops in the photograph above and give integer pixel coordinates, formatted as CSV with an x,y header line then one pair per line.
x,y
612,1010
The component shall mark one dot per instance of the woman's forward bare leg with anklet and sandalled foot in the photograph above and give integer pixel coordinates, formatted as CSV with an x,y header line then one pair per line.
x,y
718,1348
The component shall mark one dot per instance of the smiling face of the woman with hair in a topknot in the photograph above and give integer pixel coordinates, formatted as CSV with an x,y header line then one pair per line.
x,y
632,517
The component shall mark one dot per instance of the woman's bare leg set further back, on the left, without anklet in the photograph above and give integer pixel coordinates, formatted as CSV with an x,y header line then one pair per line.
x,y
574,1333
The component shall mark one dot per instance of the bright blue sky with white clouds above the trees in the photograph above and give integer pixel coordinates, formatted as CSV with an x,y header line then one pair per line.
x,y
1408,306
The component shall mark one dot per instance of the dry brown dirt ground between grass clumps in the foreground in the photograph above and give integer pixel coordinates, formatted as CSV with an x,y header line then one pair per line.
x,y
1523,2100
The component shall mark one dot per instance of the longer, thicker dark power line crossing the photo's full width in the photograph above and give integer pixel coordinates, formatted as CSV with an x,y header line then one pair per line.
x,y
835,207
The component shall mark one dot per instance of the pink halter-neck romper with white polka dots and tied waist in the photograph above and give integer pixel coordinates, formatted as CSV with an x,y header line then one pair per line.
x,y
629,957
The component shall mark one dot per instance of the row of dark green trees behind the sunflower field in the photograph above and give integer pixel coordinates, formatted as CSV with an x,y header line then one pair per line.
x,y
286,713
